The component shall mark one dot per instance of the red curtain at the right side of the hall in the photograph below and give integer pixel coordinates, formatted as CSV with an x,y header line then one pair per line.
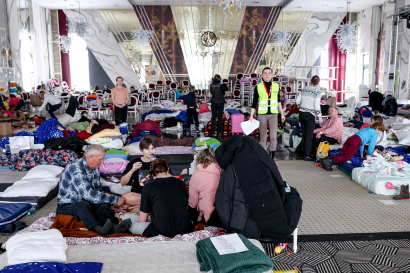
x,y
337,59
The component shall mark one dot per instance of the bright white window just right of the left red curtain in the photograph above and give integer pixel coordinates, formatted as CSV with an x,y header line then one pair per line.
x,y
79,69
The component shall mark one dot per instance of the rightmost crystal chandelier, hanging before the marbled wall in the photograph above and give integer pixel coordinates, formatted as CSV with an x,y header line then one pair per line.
x,y
346,35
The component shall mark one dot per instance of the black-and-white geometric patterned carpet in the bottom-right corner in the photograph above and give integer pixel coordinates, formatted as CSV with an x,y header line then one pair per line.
x,y
344,257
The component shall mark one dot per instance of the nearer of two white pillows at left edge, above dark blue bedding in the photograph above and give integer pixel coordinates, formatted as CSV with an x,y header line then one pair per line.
x,y
39,188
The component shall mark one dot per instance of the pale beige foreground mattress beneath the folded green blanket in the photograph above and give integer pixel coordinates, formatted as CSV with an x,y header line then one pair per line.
x,y
141,257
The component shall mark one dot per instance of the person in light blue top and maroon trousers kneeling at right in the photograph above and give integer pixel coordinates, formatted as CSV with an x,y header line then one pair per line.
x,y
355,143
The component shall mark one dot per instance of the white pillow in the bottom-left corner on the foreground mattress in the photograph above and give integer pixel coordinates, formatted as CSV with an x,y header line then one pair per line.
x,y
41,246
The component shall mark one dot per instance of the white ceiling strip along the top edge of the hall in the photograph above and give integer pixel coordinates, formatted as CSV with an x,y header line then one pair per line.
x,y
290,5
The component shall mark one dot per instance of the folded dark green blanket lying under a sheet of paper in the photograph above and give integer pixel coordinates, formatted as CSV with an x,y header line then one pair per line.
x,y
253,260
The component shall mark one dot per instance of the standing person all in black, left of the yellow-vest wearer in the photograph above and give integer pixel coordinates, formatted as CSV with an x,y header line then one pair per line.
x,y
217,104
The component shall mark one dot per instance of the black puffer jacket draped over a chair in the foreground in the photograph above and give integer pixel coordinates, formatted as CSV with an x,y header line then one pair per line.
x,y
254,202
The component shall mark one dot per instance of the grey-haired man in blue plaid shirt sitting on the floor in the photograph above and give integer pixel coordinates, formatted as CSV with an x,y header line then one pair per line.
x,y
80,194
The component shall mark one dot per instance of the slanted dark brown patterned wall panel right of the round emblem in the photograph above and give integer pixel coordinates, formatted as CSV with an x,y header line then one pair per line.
x,y
253,23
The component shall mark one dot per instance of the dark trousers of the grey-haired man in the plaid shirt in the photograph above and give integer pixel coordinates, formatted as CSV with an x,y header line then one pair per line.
x,y
90,214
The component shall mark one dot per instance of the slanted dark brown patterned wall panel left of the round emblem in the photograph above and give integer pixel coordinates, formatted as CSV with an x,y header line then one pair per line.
x,y
163,23
